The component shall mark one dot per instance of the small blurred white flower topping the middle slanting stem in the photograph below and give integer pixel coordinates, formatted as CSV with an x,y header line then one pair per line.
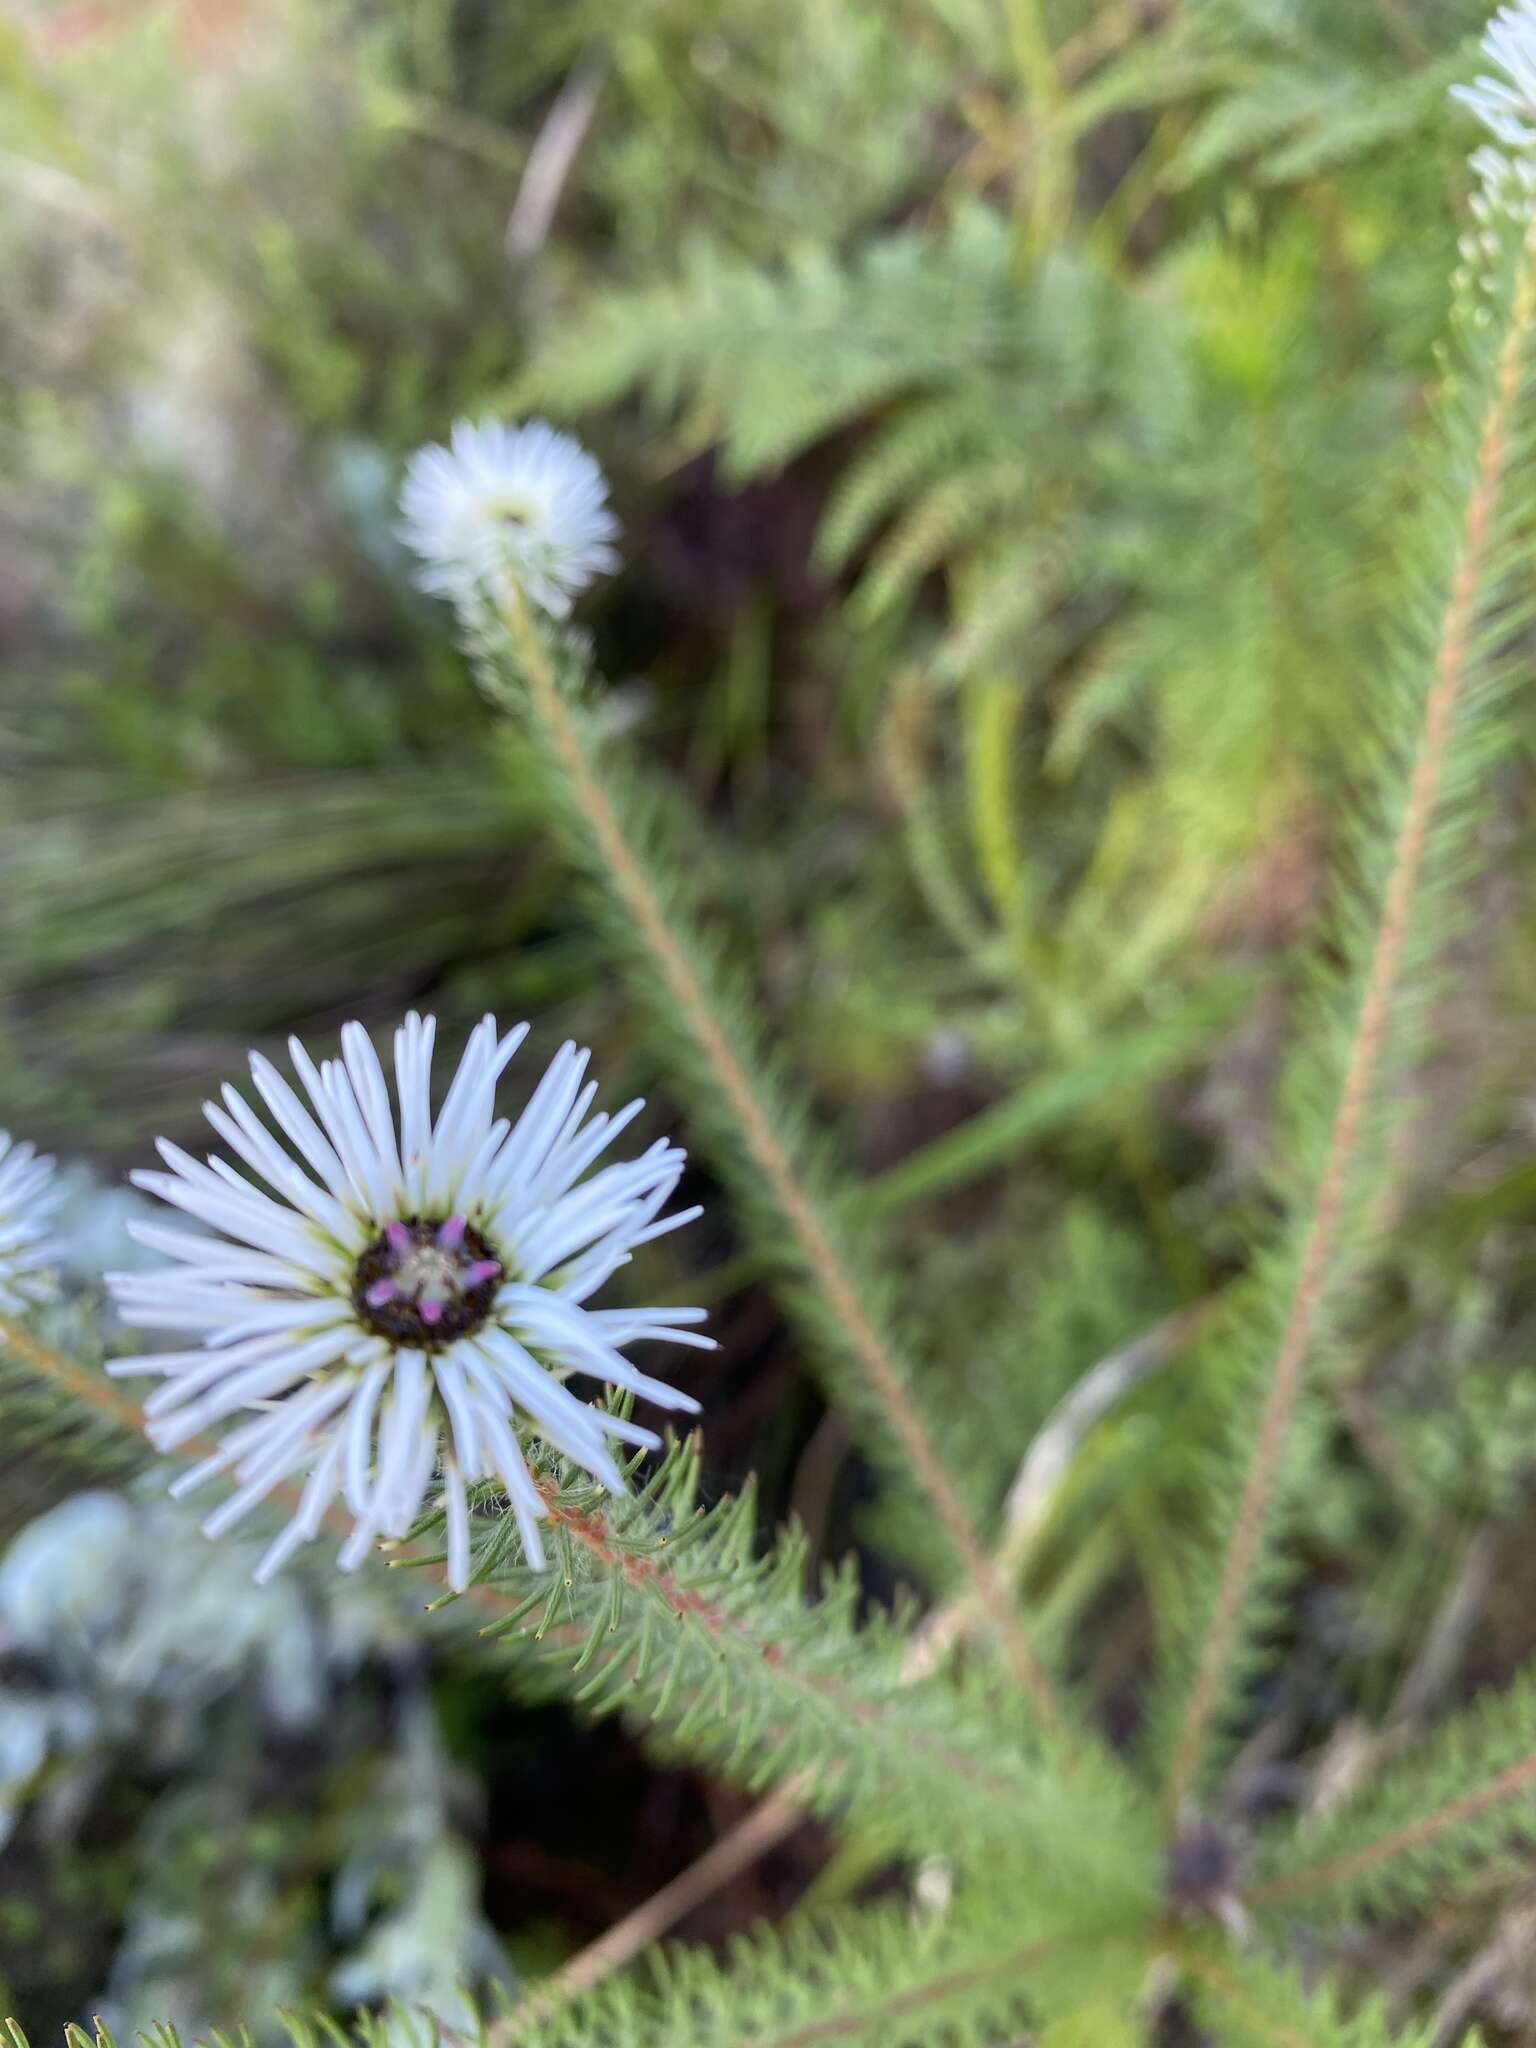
x,y
517,503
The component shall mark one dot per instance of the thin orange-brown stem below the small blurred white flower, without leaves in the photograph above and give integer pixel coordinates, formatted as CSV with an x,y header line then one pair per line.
x,y
798,1207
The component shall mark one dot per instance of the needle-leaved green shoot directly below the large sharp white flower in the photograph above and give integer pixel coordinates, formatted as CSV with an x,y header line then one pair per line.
x,y
667,1611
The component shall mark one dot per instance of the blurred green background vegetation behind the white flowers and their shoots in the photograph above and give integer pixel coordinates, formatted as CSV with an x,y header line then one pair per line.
x,y
1007,402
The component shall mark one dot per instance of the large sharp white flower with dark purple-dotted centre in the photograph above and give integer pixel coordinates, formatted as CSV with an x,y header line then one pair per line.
x,y
421,1281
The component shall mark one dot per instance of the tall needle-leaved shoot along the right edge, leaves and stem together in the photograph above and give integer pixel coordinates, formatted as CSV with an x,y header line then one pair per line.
x,y
1437,701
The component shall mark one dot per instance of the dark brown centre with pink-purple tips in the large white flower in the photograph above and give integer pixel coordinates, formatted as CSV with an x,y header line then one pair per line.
x,y
427,1281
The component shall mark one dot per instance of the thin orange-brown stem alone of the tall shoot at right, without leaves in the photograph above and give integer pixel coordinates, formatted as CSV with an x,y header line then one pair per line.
x,y
1365,1056
